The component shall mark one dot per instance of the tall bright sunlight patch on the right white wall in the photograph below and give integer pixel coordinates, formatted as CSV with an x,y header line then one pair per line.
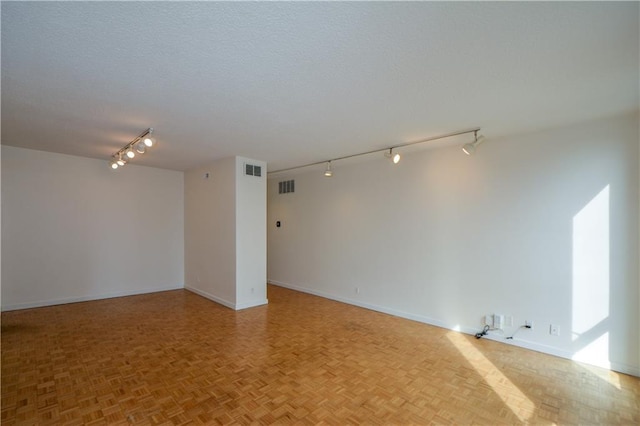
x,y
590,308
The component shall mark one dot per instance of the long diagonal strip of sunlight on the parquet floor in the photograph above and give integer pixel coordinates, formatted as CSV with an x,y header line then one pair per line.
x,y
509,393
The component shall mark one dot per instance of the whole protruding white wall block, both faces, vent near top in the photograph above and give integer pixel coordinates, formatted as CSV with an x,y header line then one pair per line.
x,y
225,233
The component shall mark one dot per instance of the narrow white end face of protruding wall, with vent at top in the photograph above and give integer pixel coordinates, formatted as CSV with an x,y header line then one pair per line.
x,y
251,235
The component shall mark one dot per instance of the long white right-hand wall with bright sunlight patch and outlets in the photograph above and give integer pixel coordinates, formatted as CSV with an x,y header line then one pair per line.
x,y
542,227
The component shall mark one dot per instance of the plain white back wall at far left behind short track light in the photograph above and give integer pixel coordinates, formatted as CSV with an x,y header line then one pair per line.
x,y
72,229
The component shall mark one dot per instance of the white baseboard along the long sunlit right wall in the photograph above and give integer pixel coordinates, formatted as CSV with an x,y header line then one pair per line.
x,y
549,350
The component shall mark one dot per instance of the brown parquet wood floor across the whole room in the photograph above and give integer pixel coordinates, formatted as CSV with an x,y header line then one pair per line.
x,y
176,358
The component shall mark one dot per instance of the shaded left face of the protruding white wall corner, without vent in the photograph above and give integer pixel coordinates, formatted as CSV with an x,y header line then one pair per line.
x,y
210,236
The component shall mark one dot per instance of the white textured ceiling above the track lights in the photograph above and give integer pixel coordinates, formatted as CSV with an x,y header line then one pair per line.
x,y
292,83
